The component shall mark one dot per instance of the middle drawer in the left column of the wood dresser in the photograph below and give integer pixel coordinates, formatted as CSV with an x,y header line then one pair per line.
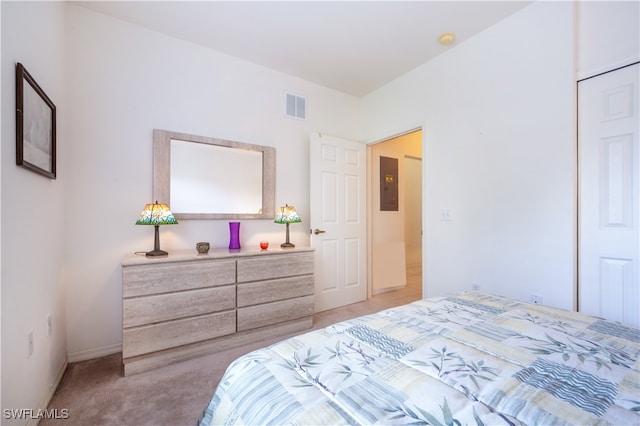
x,y
163,307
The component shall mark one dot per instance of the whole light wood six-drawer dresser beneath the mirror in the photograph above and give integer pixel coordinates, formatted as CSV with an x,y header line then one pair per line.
x,y
186,305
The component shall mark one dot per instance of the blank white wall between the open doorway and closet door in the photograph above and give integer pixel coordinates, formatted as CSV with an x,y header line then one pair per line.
x,y
499,152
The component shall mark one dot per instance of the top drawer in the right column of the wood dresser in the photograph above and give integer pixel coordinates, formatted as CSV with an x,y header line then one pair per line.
x,y
274,266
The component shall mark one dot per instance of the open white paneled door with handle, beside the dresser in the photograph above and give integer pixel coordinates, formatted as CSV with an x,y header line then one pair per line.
x,y
338,220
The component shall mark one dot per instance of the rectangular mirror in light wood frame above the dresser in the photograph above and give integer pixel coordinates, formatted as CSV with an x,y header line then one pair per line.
x,y
207,178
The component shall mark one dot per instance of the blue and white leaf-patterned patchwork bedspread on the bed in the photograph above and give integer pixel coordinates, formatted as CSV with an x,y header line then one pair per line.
x,y
466,359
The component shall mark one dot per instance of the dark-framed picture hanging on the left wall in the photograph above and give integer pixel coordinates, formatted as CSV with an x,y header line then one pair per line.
x,y
35,126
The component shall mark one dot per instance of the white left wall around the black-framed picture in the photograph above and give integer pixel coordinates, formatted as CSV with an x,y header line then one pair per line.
x,y
32,215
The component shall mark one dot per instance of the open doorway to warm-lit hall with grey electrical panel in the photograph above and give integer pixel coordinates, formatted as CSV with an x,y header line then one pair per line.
x,y
395,218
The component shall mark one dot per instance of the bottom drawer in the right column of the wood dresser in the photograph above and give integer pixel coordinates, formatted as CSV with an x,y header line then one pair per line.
x,y
272,313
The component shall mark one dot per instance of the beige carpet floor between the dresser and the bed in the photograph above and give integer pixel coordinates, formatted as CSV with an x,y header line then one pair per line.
x,y
95,393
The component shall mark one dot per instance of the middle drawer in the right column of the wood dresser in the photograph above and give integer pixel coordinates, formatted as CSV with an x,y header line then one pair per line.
x,y
258,292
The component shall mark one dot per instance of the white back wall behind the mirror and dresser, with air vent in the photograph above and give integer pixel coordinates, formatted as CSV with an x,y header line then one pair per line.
x,y
124,81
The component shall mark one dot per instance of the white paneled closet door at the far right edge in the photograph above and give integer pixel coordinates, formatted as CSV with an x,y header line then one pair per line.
x,y
609,236
